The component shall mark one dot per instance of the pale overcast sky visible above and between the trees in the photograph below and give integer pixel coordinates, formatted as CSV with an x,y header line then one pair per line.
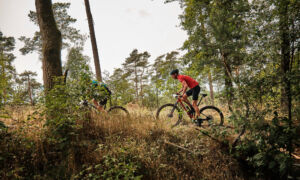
x,y
120,26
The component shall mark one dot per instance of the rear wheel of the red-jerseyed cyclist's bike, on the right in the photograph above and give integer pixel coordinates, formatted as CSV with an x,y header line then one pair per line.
x,y
211,115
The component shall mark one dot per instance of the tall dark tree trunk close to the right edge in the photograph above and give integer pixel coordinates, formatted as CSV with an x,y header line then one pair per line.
x,y
285,56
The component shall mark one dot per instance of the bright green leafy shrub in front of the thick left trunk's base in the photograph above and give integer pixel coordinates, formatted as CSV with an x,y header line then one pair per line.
x,y
61,114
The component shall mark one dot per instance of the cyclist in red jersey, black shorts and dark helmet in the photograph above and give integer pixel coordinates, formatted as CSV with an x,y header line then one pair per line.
x,y
194,89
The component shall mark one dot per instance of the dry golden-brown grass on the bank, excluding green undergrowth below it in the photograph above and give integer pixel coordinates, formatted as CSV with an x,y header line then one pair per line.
x,y
141,138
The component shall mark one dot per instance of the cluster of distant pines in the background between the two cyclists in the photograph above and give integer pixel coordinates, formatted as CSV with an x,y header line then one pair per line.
x,y
144,83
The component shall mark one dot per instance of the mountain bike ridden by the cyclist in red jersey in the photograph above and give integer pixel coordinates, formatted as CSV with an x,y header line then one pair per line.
x,y
173,114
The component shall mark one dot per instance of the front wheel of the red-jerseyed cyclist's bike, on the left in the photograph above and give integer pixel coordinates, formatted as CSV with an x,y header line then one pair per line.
x,y
169,114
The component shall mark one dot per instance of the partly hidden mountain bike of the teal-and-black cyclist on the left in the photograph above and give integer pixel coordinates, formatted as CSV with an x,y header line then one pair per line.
x,y
112,111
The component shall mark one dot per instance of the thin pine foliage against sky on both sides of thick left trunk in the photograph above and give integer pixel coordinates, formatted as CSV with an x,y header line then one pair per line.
x,y
71,37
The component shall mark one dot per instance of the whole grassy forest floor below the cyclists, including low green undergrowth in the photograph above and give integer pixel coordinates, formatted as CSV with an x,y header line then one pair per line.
x,y
139,146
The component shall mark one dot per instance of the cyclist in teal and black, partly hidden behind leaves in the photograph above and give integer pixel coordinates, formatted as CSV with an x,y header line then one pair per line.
x,y
100,94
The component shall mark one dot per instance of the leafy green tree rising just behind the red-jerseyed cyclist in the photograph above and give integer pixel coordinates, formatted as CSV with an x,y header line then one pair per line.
x,y
217,38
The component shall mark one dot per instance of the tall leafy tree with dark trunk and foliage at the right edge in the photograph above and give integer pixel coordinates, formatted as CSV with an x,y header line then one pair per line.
x,y
276,35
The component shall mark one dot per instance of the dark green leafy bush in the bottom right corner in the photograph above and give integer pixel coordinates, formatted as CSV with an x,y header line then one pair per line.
x,y
267,148
